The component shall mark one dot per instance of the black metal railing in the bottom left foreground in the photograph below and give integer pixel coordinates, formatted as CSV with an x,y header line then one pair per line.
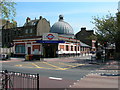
x,y
16,80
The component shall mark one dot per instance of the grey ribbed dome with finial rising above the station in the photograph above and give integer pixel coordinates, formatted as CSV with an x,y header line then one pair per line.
x,y
62,27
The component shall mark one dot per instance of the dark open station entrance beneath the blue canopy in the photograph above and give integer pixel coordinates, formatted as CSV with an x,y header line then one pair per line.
x,y
49,50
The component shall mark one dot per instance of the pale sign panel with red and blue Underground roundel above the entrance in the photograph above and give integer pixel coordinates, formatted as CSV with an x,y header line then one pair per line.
x,y
50,36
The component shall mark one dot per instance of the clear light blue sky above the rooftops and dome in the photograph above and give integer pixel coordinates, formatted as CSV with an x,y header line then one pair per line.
x,y
77,14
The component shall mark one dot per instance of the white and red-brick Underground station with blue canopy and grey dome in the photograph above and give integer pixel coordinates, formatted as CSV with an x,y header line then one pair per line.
x,y
55,41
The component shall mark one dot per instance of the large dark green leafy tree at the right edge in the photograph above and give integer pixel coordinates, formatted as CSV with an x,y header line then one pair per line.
x,y
107,29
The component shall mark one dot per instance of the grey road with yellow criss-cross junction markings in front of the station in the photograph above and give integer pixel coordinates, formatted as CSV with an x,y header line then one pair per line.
x,y
55,73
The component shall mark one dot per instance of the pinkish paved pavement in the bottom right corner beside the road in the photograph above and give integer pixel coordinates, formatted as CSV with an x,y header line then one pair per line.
x,y
106,77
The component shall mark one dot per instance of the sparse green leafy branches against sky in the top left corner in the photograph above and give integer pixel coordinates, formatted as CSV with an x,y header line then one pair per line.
x,y
8,10
